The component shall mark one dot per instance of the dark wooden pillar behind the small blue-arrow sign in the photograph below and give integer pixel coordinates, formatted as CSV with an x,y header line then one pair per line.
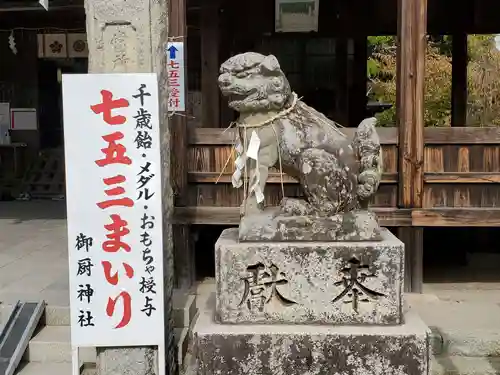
x,y
183,249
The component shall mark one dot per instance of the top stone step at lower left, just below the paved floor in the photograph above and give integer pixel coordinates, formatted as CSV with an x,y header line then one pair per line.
x,y
184,309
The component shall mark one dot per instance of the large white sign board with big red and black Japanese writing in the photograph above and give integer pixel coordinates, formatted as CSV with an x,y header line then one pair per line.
x,y
114,209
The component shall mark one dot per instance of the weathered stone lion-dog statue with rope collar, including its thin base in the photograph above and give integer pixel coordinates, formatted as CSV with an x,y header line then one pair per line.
x,y
338,175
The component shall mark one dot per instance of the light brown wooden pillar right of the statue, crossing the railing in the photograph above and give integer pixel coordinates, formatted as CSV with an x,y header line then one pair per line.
x,y
412,25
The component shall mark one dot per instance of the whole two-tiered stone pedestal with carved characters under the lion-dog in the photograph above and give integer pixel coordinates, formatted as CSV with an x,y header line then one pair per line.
x,y
310,308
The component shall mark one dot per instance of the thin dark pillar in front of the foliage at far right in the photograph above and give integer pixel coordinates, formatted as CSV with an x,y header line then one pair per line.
x,y
459,80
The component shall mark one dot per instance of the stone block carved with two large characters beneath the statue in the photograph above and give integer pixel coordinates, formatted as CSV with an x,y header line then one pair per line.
x,y
309,282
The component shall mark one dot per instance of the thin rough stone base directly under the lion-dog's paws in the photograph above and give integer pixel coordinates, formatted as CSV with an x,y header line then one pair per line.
x,y
272,225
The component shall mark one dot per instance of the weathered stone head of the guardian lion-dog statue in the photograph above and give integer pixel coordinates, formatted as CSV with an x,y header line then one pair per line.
x,y
254,83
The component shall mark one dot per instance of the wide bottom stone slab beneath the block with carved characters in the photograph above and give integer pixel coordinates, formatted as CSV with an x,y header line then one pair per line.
x,y
311,349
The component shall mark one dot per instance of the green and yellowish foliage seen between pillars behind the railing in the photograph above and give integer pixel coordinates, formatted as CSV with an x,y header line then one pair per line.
x,y
483,79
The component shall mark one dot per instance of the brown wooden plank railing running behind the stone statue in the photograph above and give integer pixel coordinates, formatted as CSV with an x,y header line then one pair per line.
x,y
461,179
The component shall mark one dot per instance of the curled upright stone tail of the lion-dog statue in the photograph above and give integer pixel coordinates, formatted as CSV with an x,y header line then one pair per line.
x,y
366,143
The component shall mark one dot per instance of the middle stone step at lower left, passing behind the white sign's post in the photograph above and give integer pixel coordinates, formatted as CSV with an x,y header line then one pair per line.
x,y
52,344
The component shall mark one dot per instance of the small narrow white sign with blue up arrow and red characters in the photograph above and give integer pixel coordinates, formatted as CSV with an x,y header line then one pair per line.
x,y
176,77
